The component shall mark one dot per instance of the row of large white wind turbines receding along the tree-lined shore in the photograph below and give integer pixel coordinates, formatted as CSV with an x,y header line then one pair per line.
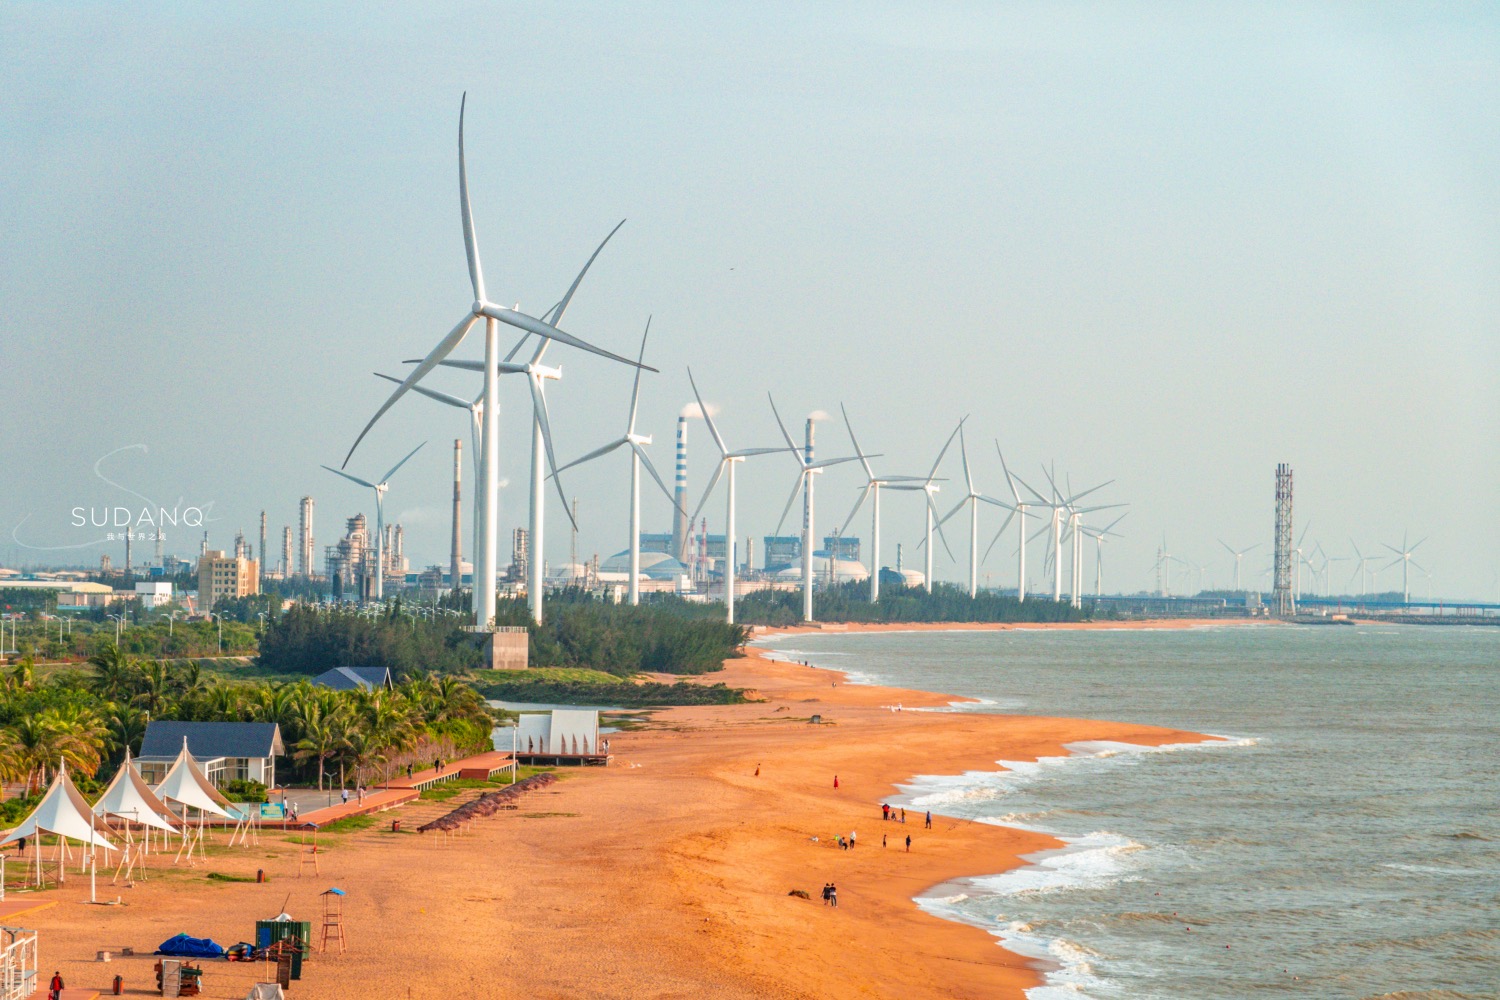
x,y
1064,513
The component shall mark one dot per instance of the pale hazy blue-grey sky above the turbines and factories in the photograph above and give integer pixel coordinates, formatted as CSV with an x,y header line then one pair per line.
x,y
1163,245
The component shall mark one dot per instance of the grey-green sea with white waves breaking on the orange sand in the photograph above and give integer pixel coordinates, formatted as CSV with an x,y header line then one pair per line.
x,y
1342,840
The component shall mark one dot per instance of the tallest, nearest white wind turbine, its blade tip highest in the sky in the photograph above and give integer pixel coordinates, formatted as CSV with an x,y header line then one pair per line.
x,y
482,308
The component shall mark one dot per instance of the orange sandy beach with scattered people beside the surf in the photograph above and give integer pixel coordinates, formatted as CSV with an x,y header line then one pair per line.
x,y
667,875
